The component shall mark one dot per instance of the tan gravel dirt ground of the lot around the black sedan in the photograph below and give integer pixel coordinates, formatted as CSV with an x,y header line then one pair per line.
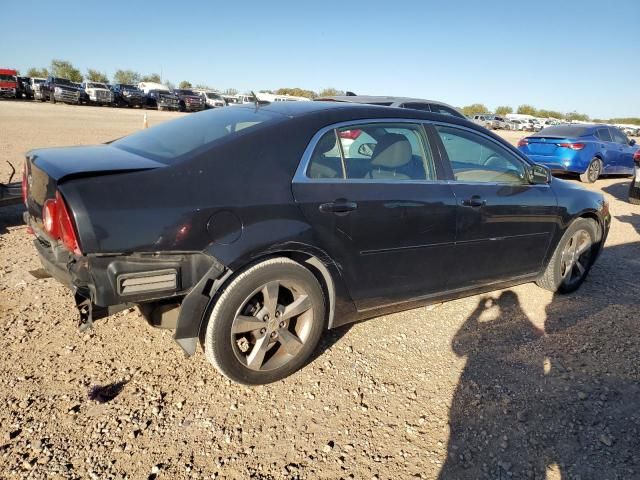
x,y
514,384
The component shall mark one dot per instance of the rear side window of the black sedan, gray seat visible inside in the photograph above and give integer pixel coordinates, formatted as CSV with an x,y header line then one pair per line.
x,y
374,152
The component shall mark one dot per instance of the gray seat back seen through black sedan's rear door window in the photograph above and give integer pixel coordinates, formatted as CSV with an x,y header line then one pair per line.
x,y
391,154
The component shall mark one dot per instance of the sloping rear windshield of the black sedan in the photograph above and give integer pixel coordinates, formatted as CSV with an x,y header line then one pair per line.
x,y
170,141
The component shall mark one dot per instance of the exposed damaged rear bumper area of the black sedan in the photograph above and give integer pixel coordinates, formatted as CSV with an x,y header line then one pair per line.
x,y
172,290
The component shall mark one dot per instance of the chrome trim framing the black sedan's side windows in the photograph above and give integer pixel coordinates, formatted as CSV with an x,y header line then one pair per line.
x,y
301,177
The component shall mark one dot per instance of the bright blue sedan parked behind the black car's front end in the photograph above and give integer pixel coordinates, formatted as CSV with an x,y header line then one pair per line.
x,y
586,150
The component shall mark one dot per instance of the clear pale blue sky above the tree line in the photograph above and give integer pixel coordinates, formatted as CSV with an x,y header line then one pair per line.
x,y
563,55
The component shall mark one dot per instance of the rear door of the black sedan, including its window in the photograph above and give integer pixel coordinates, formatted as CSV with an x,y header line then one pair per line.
x,y
380,209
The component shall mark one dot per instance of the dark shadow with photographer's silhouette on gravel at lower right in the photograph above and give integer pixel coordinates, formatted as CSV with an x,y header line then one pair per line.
x,y
562,402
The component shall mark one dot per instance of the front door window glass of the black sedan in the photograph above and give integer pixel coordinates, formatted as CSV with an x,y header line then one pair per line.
x,y
475,158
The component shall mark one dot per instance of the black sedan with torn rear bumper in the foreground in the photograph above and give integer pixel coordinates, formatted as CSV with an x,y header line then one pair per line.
x,y
254,229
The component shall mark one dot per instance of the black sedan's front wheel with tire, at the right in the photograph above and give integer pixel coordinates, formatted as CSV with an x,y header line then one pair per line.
x,y
572,259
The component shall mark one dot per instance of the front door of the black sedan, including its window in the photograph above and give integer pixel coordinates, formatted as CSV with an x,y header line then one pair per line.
x,y
504,224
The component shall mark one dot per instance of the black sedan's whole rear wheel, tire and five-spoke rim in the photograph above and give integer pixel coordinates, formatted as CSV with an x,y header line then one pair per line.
x,y
266,323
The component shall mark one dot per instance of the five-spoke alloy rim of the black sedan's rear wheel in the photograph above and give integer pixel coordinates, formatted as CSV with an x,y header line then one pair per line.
x,y
272,325
